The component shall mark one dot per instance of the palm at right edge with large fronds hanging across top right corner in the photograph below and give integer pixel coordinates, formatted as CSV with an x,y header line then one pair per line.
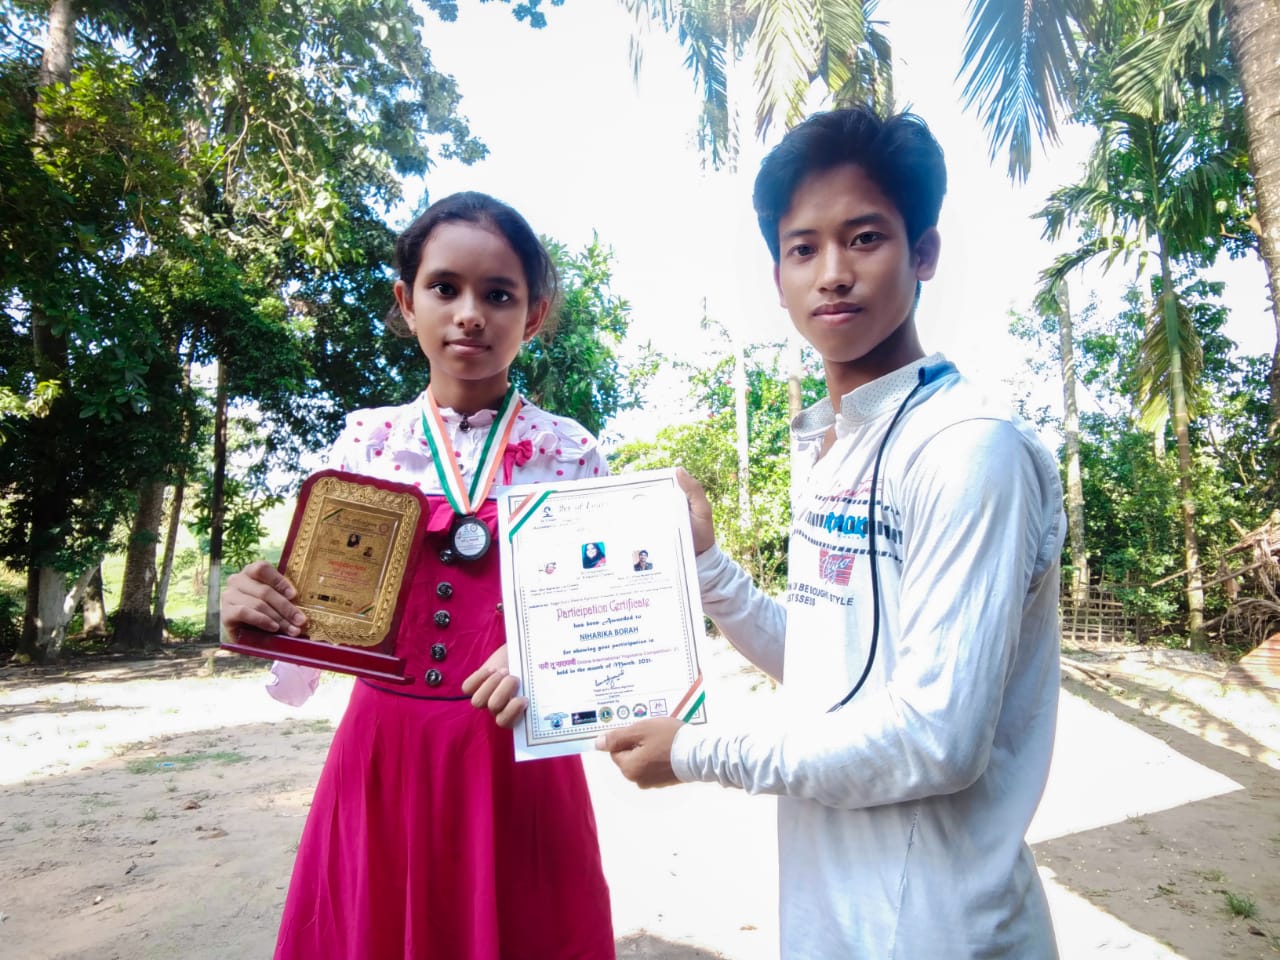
x,y
1022,63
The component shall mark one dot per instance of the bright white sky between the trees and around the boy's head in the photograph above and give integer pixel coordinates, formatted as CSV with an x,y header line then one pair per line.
x,y
577,145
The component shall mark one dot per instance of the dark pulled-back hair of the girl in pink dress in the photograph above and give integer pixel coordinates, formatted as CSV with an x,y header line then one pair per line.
x,y
483,211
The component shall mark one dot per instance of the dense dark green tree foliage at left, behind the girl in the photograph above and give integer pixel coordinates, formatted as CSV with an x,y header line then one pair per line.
x,y
176,204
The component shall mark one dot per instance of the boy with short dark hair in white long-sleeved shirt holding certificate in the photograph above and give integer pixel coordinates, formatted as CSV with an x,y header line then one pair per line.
x,y
918,638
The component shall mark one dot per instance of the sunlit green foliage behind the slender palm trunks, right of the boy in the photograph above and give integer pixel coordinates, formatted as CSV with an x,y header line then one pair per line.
x,y
1131,491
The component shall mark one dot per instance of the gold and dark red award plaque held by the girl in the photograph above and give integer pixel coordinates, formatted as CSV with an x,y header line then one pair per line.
x,y
351,547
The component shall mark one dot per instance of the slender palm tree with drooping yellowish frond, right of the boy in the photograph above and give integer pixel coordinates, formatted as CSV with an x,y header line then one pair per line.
x,y
1153,191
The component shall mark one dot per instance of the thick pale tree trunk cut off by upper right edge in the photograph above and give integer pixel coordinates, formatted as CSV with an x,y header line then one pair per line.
x,y
1255,30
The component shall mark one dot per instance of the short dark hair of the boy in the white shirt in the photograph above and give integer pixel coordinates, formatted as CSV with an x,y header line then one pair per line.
x,y
898,153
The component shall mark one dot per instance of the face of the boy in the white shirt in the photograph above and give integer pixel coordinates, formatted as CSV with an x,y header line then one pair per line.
x,y
848,275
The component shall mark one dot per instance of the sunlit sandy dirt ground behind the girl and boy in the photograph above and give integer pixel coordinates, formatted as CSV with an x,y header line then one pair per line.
x,y
152,811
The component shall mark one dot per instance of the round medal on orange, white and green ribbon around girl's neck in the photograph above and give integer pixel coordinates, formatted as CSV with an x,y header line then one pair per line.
x,y
470,538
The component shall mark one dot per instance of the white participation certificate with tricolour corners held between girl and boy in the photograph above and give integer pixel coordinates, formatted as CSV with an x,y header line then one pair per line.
x,y
602,607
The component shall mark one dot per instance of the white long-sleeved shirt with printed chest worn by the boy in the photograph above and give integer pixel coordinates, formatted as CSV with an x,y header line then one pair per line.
x,y
902,815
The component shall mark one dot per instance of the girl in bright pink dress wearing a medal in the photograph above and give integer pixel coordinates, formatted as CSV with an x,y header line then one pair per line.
x,y
426,839
